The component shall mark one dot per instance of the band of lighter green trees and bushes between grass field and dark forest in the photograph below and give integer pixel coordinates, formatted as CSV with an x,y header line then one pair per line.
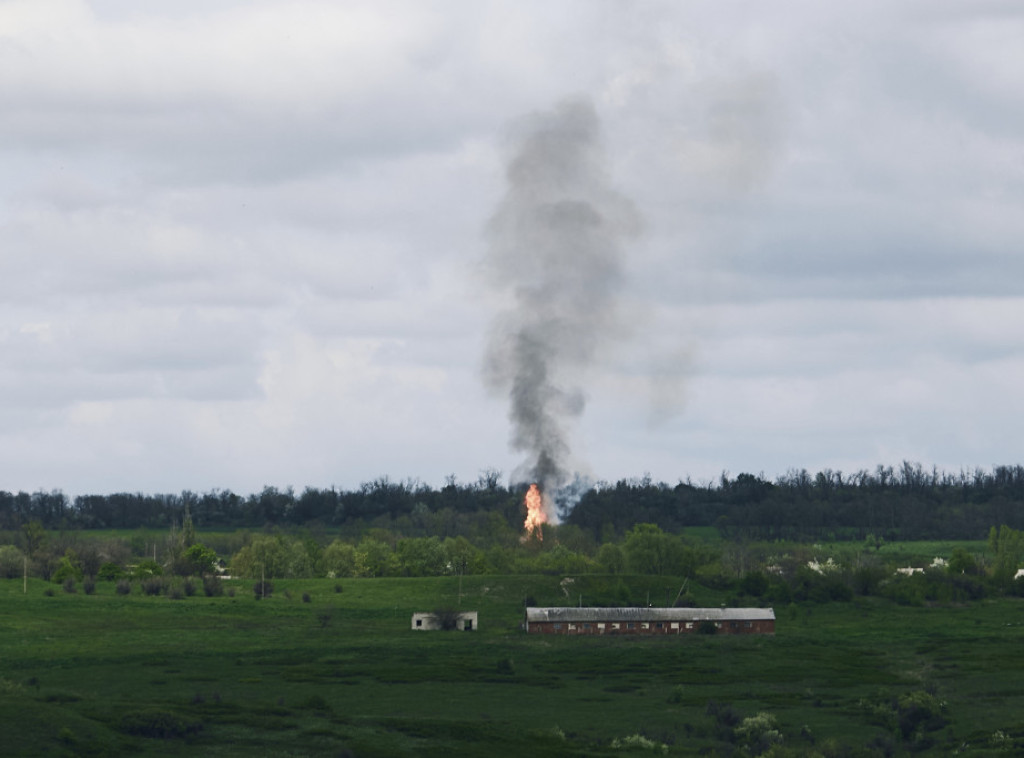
x,y
758,573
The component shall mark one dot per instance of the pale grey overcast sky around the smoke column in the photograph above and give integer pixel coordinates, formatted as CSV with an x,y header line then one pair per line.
x,y
244,243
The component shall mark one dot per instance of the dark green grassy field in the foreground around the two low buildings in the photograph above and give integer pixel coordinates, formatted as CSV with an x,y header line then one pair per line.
x,y
343,675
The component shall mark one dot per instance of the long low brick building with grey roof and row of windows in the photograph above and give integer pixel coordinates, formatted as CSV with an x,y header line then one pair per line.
x,y
649,621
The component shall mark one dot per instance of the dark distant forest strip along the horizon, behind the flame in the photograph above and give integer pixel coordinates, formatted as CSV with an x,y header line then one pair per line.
x,y
908,502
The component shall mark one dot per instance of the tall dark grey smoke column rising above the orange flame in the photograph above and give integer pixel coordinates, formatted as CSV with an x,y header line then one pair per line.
x,y
557,250
